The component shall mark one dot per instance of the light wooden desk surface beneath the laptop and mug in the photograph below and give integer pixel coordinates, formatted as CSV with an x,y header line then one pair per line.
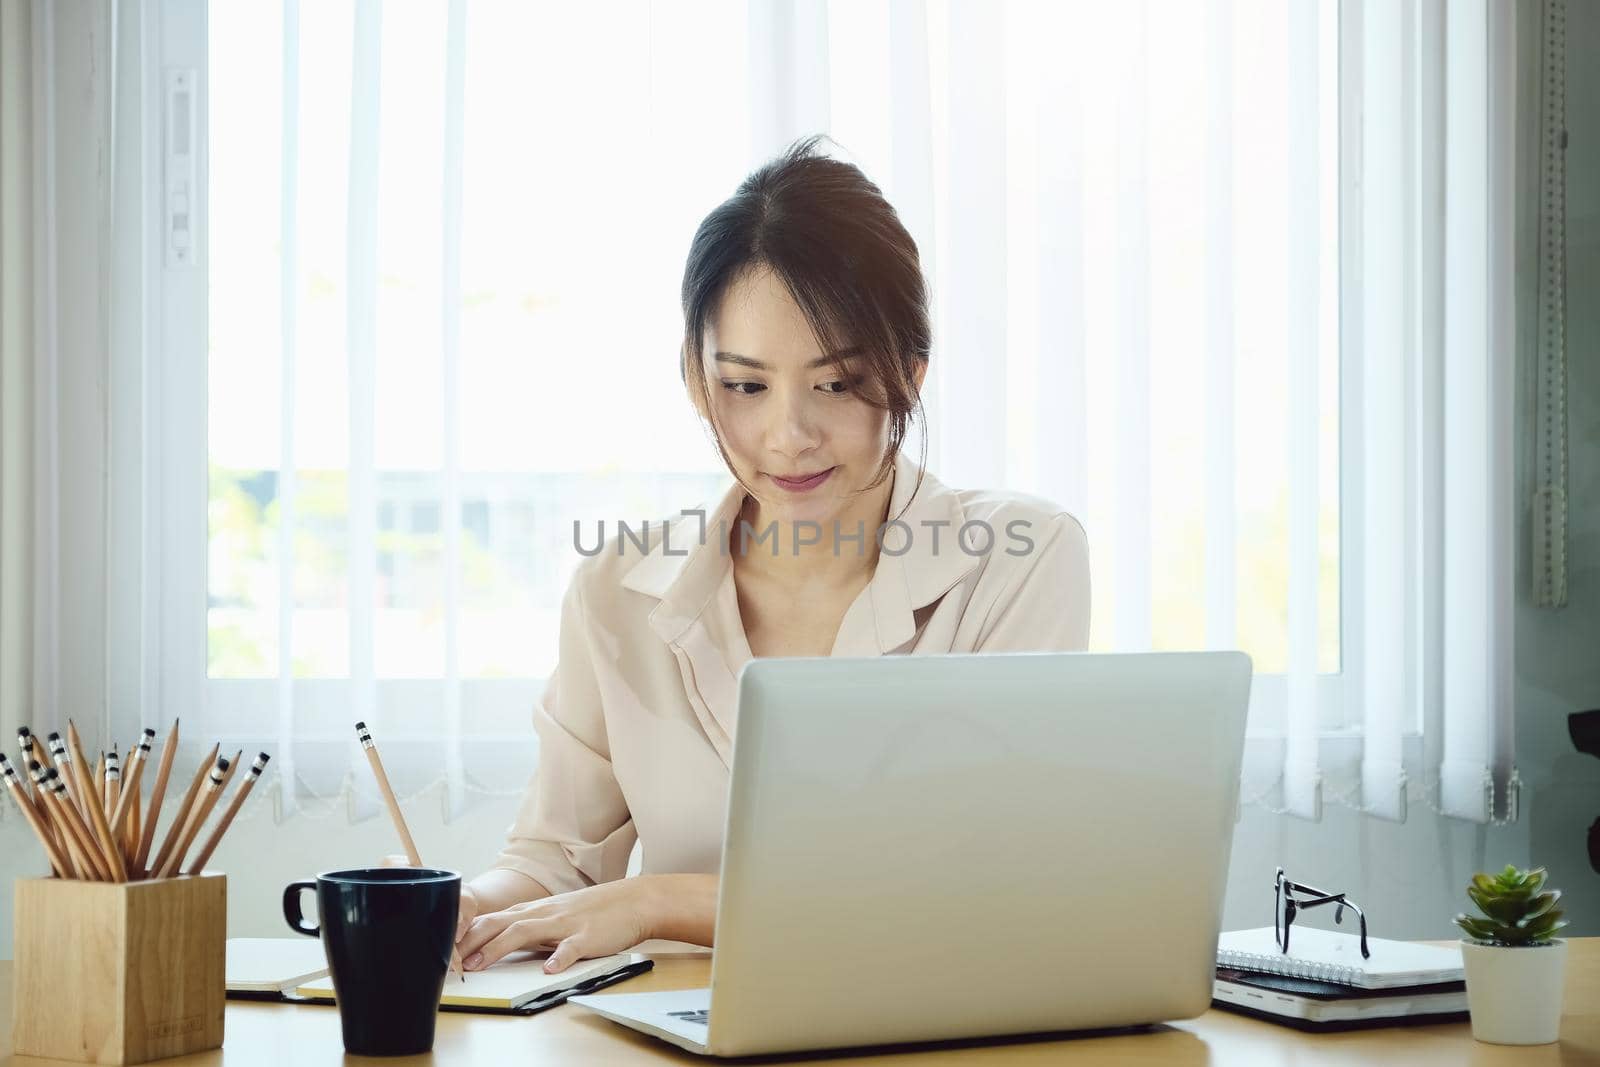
x,y
310,1034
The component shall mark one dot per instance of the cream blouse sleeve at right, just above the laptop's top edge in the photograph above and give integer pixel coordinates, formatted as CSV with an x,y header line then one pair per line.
x,y
1046,605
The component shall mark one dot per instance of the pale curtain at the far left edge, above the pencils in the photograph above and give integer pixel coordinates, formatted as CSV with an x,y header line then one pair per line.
x,y
57,409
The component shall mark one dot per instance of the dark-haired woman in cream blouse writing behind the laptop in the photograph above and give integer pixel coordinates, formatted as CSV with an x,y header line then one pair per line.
x,y
806,346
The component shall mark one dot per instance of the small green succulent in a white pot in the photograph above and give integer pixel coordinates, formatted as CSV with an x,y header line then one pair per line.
x,y
1516,970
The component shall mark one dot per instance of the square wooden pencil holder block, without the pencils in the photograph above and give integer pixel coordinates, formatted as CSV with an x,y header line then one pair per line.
x,y
114,973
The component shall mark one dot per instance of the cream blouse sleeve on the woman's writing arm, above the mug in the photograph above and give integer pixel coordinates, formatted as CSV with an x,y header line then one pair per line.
x,y
574,828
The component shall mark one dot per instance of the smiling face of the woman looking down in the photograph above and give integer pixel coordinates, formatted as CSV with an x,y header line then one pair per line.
x,y
794,428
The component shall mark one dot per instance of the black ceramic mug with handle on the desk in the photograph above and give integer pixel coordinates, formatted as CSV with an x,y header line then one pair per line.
x,y
388,933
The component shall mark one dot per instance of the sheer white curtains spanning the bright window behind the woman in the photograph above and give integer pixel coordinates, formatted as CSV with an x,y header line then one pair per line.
x,y
431,321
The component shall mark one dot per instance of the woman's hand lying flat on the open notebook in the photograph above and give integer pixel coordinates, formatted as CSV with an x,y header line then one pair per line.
x,y
580,925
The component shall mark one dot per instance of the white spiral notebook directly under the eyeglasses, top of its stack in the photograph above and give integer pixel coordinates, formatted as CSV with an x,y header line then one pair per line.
x,y
1337,957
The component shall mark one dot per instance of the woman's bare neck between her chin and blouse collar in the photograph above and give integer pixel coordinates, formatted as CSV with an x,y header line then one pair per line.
x,y
807,553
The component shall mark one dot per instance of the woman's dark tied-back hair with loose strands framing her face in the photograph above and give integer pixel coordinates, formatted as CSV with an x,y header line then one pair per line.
x,y
839,247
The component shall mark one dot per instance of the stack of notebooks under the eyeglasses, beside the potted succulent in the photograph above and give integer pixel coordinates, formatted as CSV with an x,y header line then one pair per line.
x,y
1326,983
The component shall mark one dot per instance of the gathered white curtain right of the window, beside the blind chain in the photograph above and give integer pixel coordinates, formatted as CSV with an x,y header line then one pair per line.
x,y
1431,402
